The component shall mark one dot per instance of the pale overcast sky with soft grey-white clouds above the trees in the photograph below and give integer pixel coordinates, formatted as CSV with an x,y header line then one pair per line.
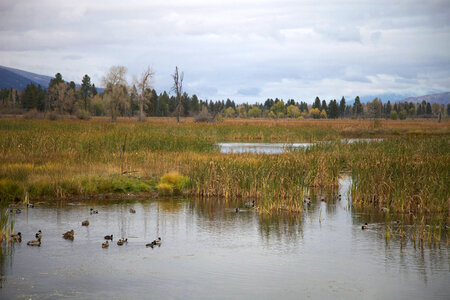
x,y
247,50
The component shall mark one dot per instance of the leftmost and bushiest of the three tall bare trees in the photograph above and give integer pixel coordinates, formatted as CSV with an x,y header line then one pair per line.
x,y
116,89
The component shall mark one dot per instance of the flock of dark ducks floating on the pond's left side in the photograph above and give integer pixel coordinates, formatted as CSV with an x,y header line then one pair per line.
x,y
69,235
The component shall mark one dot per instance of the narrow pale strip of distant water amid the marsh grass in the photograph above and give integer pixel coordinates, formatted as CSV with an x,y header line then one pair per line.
x,y
276,148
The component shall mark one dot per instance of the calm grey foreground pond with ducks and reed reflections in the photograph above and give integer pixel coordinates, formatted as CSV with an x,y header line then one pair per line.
x,y
210,251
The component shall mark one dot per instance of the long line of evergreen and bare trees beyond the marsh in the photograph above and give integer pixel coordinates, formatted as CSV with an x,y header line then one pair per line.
x,y
119,98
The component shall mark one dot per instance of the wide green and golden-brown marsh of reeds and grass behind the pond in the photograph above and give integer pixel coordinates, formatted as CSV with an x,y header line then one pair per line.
x,y
408,170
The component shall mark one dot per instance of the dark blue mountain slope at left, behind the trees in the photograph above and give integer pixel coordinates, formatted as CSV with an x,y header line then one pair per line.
x,y
18,79
